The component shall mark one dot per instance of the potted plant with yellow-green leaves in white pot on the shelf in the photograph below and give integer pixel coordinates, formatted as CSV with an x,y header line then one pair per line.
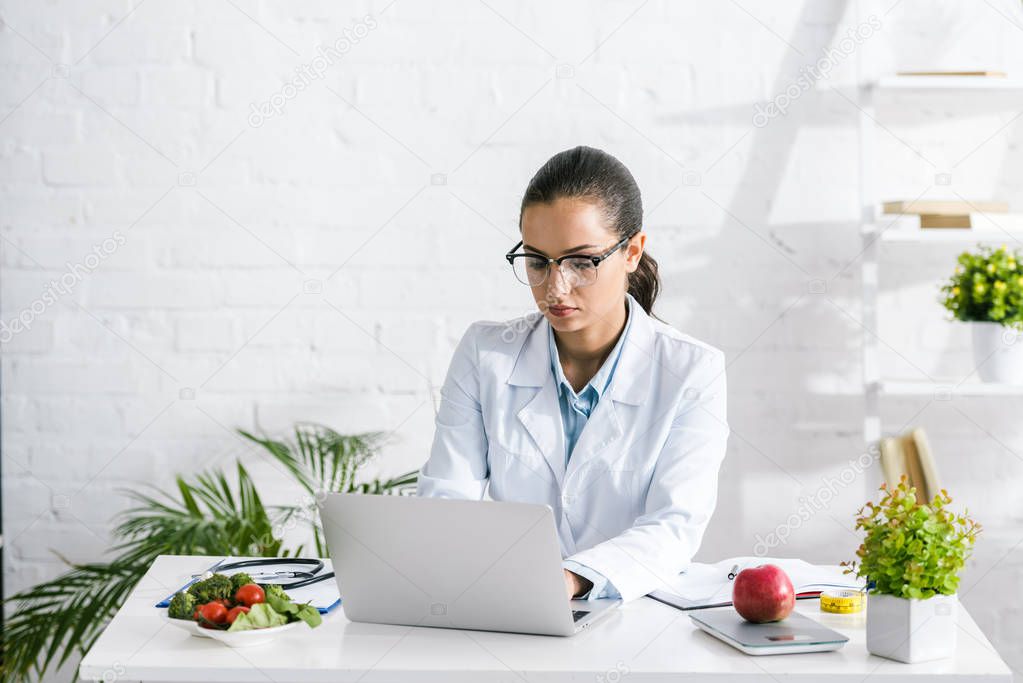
x,y
987,291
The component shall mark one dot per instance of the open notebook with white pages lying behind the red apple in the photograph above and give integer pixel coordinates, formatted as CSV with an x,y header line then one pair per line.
x,y
709,586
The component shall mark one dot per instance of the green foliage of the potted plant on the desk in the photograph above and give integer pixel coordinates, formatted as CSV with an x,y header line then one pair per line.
x,y
912,550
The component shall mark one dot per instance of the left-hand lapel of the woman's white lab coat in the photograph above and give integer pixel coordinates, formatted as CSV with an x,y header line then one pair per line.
x,y
542,416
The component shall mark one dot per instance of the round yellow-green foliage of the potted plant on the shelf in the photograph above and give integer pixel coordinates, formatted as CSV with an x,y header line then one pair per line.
x,y
988,287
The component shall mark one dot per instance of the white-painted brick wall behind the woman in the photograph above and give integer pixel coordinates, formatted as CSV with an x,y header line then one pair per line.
x,y
117,118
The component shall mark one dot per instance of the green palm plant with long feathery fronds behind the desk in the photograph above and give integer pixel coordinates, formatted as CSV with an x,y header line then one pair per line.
x,y
209,514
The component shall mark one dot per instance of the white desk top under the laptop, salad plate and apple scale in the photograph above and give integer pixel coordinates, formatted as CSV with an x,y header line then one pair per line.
x,y
644,642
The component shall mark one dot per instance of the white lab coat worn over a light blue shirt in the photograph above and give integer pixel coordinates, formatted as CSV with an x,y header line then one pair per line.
x,y
642,483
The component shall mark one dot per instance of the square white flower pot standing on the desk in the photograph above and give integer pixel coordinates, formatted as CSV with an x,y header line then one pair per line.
x,y
911,630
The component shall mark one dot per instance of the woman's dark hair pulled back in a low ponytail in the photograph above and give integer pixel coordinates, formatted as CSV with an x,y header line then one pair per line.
x,y
588,173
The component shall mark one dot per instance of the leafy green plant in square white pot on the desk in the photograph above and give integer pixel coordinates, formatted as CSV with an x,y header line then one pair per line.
x,y
912,555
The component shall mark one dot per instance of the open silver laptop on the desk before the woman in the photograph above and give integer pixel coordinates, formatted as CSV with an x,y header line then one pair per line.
x,y
453,564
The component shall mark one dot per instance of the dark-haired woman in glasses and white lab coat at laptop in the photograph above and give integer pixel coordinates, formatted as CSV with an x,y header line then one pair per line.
x,y
612,418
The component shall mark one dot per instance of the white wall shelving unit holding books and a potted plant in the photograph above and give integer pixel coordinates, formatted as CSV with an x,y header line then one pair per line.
x,y
877,233
